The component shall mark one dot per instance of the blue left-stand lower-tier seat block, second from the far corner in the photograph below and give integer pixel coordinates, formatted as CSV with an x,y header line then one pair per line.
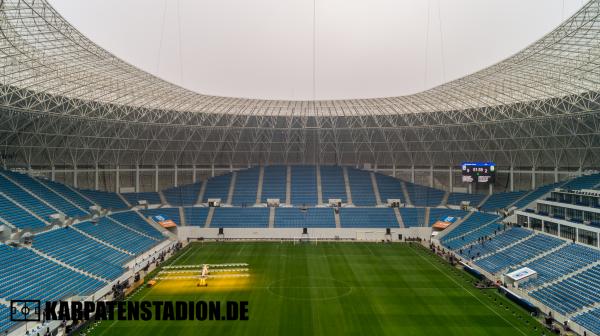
x,y
117,235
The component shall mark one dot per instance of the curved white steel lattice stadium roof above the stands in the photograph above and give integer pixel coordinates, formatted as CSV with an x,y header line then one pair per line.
x,y
65,100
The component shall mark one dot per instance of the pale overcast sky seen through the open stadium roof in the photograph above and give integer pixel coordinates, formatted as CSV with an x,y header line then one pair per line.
x,y
264,48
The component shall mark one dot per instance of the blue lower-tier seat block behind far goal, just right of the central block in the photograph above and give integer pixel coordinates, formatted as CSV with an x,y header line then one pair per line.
x,y
368,218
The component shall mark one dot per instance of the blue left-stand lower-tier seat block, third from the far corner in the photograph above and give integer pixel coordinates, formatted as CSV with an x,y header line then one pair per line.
x,y
79,251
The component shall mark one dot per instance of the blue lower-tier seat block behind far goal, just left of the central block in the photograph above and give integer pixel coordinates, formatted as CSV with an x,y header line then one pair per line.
x,y
240,218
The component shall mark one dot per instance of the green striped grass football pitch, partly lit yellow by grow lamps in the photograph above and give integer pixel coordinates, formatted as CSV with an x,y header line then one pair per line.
x,y
333,289
